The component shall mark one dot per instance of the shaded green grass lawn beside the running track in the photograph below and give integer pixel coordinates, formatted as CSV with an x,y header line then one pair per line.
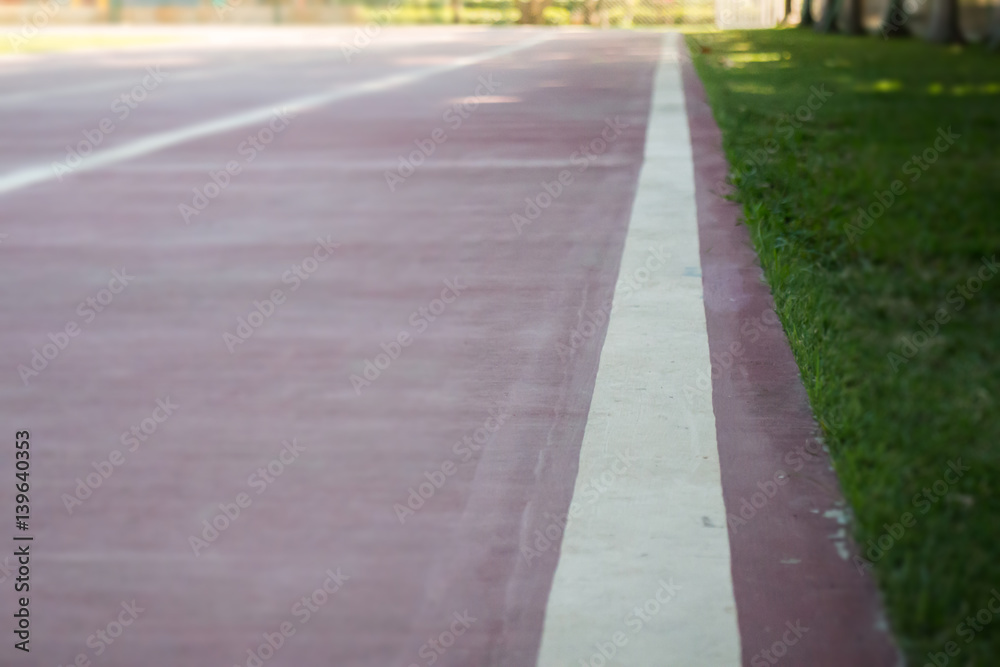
x,y
899,351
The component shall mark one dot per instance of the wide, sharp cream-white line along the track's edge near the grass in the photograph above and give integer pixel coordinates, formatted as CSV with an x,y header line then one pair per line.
x,y
660,520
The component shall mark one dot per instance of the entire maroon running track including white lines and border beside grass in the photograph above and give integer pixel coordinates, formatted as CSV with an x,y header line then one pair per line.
x,y
511,402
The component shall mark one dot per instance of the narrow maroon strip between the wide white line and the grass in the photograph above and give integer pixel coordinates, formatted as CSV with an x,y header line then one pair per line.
x,y
785,565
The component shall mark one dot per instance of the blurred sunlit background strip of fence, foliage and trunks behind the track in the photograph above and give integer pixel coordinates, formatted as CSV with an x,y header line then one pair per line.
x,y
973,16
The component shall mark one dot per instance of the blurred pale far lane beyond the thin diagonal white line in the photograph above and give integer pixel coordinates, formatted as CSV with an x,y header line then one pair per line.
x,y
50,132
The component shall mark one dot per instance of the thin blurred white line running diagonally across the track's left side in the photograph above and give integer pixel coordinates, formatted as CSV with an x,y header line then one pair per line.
x,y
27,176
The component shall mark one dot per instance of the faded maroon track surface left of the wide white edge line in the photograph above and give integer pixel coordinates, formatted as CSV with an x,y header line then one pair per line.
x,y
493,348
